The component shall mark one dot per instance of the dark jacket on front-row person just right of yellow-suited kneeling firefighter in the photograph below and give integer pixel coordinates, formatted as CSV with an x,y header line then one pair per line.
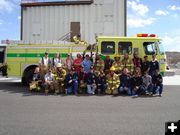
x,y
124,80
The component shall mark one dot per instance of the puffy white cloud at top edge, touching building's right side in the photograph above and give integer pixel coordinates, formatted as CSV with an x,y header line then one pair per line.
x,y
140,9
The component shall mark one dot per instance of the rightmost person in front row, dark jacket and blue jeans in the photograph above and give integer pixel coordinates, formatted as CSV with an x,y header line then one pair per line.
x,y
157,83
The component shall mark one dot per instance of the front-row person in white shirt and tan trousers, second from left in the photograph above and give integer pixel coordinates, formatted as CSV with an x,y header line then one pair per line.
x,y
50,83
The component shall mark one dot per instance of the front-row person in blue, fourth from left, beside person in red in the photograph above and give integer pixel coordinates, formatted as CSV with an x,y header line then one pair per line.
x,y
72,82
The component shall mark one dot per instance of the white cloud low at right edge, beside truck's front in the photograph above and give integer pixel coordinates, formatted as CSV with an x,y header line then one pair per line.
x,y
171,43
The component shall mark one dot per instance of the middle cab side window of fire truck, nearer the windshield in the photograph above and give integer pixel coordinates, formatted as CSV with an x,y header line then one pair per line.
x,y
124,47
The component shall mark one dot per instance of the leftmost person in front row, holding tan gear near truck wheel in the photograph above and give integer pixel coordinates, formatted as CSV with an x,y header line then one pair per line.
x,y
36,80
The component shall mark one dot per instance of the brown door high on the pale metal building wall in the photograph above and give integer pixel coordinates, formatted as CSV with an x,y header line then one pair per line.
x,y
75,29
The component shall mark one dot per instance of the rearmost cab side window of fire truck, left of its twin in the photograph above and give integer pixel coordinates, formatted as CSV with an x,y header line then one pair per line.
x,y
108,47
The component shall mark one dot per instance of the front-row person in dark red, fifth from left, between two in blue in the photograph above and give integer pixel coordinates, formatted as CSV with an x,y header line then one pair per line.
x,y
82,80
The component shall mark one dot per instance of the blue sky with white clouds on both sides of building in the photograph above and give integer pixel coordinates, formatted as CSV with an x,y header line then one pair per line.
x,y
160,17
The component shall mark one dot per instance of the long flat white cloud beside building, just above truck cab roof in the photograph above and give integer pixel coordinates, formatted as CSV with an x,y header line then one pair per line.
x,y
139,22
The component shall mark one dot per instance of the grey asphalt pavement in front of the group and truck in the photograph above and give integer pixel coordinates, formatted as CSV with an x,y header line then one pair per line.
x,y
25,113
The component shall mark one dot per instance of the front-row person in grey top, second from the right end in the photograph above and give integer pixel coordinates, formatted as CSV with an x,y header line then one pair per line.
x,y
147,83
